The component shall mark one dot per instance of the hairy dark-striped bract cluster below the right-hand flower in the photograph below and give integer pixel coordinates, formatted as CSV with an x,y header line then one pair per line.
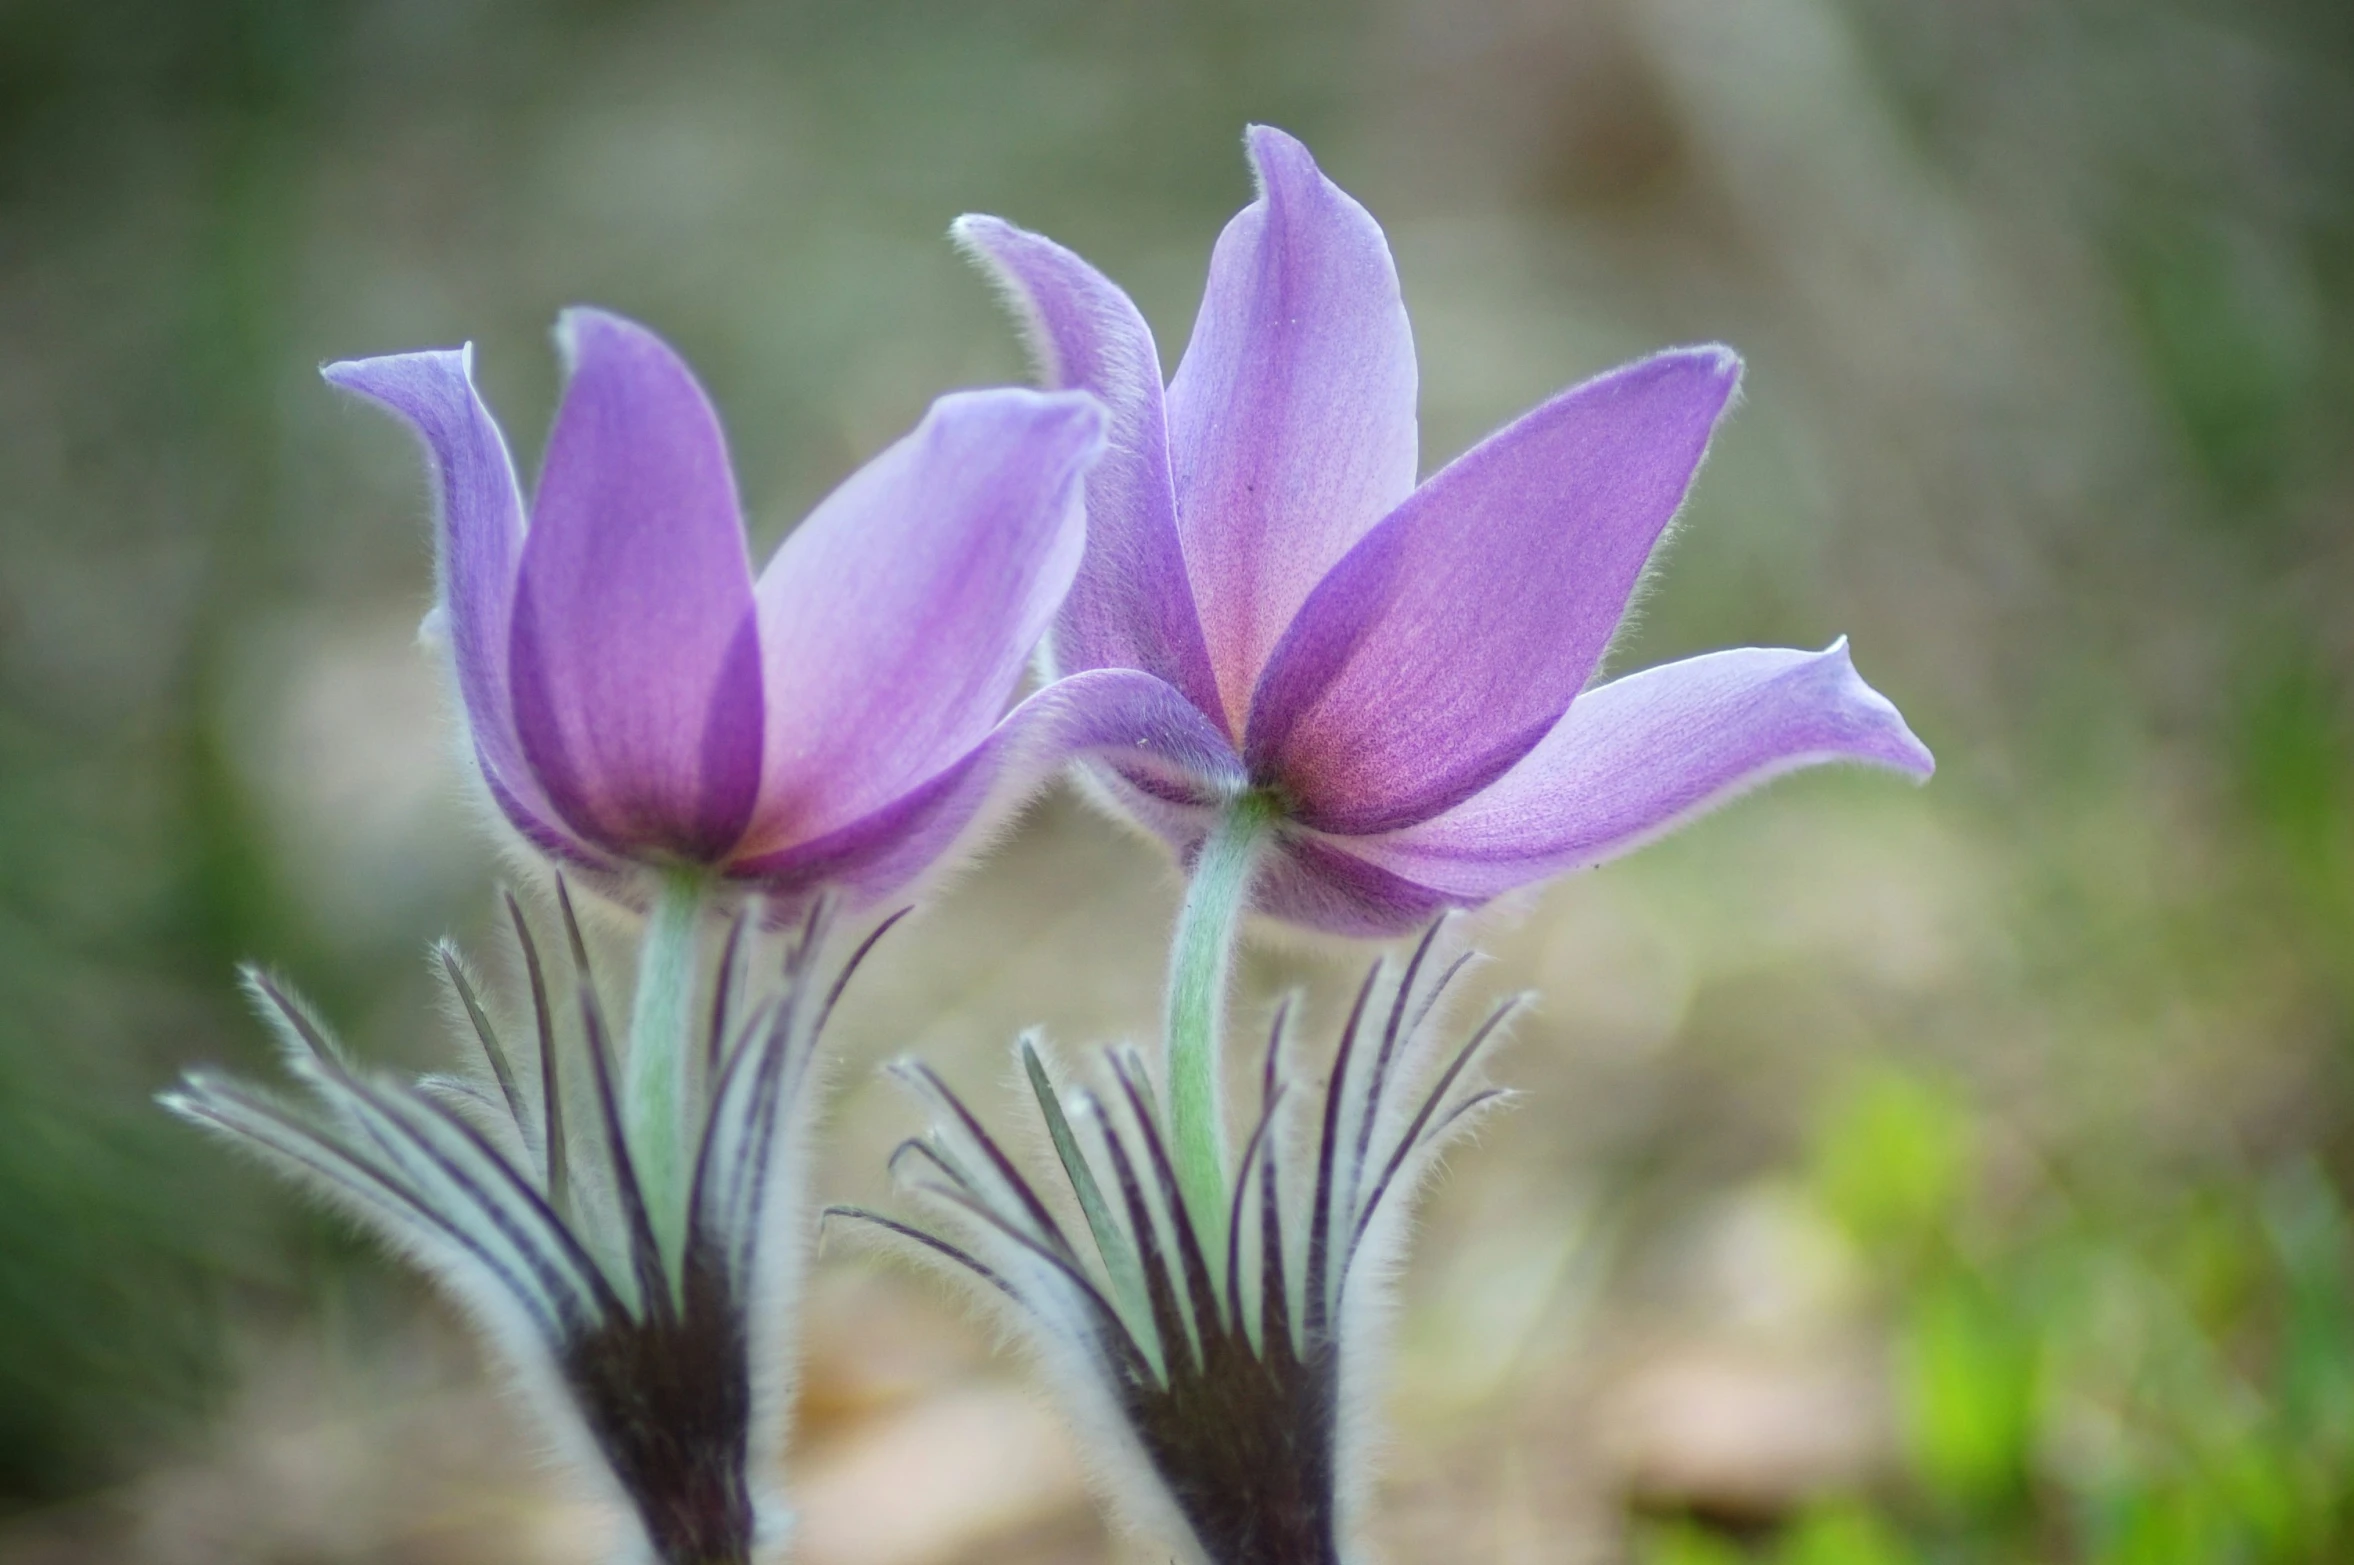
x,y
1228,1354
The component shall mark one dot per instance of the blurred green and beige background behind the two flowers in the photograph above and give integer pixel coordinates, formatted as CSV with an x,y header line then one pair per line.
x,y
1948,1176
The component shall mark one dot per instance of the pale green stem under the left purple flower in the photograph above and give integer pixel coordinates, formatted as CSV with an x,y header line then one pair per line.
x,y
653,1081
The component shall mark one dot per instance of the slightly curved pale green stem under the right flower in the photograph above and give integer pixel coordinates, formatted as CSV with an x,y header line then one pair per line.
x,y
1202,964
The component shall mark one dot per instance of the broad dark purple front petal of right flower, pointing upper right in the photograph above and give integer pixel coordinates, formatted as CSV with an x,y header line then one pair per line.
x,y
1458,632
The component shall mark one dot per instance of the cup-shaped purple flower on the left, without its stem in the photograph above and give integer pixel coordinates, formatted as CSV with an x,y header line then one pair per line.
x,y
639,698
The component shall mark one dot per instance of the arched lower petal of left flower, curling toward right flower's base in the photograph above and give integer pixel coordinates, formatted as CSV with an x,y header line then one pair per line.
x,y
1103,712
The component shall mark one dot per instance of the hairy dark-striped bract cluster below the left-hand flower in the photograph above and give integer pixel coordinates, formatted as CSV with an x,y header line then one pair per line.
x,y
658,1368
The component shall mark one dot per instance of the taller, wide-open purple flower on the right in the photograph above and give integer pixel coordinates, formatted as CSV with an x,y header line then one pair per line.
x,y
1399,672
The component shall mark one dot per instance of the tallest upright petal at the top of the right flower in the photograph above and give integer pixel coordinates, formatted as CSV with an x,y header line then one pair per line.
x,y
1294,413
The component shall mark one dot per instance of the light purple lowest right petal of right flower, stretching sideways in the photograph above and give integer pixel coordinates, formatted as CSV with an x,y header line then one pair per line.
x,y
1640,757
